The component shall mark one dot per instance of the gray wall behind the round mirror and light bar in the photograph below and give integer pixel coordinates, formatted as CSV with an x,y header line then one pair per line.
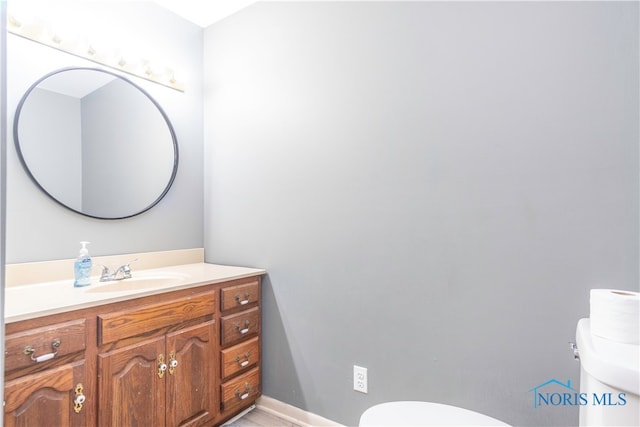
x,y
38,228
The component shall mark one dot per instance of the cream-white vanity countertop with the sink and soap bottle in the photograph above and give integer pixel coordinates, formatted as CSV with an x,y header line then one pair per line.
x,y
41,299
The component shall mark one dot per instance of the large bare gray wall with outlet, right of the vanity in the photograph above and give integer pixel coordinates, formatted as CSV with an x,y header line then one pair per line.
x,y
433,188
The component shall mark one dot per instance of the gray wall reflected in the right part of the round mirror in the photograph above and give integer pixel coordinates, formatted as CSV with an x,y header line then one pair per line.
x,y
121,137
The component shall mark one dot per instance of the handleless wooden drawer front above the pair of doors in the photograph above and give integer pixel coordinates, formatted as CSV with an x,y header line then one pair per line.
x,y
137,321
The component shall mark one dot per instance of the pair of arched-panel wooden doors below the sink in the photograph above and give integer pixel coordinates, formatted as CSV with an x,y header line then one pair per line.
x,y
134,378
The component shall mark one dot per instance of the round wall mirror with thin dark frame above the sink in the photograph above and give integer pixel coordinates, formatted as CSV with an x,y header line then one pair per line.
x,y
96,143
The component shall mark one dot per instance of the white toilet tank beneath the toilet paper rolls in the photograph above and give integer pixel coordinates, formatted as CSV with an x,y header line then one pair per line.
x,y
609,380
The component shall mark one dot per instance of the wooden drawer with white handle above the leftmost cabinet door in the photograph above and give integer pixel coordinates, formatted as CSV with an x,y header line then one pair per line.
x,y
42,344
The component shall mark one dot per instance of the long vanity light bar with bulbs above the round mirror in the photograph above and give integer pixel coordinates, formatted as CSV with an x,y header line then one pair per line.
x,y
41,32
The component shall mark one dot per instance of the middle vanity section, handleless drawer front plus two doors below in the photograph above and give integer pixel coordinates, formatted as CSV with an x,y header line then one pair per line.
x,y
167,377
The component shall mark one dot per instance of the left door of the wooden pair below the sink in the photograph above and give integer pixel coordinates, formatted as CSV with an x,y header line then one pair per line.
x,y
131,386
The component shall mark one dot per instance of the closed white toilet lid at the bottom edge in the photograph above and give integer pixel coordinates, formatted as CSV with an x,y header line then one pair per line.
x,y
423,414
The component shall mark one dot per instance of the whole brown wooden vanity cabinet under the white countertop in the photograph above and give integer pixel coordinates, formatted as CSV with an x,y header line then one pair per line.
x,y
155,360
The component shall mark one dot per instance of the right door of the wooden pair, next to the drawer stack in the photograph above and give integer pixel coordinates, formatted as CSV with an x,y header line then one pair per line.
x,y
192,396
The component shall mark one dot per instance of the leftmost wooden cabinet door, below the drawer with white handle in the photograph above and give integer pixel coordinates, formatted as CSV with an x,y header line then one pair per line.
x,y
45,398
